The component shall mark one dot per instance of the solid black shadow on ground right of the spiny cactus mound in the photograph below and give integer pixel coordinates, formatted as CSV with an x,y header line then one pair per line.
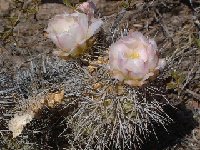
x,y
183,124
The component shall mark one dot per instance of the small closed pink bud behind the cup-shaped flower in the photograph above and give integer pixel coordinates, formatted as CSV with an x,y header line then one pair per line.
x,y
87,8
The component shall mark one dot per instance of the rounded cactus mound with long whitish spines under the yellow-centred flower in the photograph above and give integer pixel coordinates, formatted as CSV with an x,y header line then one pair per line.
x,y
112,115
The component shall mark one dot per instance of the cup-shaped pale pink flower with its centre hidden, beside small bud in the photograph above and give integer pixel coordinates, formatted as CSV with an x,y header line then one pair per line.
x,y
72,33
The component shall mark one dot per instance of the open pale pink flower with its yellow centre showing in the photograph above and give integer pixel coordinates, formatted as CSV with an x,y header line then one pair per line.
x,y
134,59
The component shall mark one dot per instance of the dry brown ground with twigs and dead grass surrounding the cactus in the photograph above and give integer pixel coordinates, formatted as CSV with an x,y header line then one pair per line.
x,y
175,25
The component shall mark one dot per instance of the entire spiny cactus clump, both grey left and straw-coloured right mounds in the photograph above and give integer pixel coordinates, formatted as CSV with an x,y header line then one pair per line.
x,y
106,113
